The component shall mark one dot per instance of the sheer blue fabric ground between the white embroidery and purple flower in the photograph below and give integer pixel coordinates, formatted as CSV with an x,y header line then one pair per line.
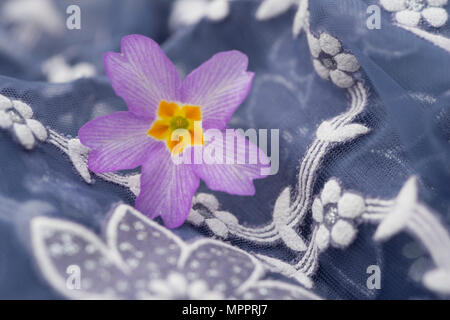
x,y
286,94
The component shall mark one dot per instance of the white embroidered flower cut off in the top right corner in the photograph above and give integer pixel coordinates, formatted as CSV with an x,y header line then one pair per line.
x,y
410,12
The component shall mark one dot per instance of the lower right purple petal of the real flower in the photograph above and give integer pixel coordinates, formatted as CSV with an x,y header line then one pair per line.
x,y
228,173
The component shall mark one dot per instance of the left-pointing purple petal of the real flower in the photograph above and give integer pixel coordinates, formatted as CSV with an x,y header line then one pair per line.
x,y
119,141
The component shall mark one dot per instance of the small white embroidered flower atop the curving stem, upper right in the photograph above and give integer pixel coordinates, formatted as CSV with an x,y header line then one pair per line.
x,y
330,62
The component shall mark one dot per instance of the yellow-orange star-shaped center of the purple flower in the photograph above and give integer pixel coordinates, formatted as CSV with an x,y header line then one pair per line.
x,y
179,126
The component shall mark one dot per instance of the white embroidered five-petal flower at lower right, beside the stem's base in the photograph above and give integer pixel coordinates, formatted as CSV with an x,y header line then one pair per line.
x,y
337,214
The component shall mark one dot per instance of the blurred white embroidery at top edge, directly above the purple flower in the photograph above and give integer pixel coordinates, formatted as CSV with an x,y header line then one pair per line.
x,y
189,12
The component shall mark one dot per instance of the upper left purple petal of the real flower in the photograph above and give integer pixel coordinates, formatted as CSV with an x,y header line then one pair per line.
x,y
142,75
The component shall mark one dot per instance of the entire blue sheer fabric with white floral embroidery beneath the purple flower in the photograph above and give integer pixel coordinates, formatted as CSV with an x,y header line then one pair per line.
x,y
363,158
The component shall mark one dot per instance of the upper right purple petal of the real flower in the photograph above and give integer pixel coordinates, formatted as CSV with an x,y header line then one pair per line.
x,y
219,86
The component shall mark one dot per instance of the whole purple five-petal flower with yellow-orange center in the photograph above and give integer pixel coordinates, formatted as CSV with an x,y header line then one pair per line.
x,y
159,104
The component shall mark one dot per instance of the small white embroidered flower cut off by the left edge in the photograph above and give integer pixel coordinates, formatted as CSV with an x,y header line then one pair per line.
x,y
16,116
